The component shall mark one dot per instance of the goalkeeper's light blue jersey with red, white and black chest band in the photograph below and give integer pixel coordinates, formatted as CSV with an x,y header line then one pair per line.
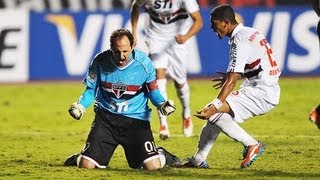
x,y
122,90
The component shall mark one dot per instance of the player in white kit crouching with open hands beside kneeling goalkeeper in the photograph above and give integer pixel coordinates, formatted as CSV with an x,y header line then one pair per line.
x,y
251,58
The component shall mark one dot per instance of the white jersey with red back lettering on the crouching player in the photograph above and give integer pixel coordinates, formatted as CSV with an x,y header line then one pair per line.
x,y
252,56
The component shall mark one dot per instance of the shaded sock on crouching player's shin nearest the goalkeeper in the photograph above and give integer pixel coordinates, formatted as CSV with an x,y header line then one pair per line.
x,y
208,136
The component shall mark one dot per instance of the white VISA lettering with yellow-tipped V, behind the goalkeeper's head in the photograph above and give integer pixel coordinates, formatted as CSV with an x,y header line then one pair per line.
x,y
78,49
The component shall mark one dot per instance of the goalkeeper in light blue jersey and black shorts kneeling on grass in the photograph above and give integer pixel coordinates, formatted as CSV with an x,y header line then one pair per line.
x,y
120,81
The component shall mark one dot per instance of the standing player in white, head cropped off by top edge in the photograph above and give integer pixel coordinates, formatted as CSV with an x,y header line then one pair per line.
x,y
171,24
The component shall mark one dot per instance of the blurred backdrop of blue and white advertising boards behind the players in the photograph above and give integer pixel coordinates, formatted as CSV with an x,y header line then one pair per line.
x,y
56,39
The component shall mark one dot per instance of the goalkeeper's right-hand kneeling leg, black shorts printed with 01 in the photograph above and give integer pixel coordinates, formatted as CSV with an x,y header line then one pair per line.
x,y
139,146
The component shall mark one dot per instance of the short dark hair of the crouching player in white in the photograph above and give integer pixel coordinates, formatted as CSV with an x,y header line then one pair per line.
x,y
223,12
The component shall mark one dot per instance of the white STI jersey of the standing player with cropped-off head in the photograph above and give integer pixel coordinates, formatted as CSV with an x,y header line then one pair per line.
x,y
168,17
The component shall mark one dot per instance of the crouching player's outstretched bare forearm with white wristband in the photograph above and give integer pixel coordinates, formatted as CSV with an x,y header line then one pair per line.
x,y
219,104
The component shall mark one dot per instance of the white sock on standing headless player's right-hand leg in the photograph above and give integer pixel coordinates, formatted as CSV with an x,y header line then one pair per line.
x,y
184,97
